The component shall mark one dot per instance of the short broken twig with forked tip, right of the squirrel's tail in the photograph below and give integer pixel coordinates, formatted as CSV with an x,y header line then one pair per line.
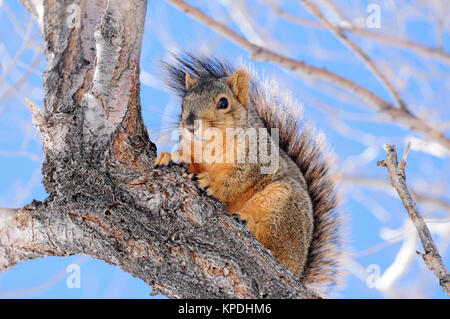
x,y
431,256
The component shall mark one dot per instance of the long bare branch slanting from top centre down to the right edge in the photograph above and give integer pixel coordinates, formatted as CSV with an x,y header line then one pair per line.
x,y
400,116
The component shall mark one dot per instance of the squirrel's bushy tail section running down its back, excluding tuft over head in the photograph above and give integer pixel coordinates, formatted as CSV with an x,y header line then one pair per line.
x,y
308,149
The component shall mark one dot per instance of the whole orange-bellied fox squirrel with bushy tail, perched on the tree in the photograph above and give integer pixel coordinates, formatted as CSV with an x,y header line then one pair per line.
x,y
290,210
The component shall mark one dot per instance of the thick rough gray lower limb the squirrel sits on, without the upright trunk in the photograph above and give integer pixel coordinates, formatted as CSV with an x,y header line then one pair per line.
x,y
181,243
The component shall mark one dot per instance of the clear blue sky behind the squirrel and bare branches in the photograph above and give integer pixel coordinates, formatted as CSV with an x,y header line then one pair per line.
x,y
357,144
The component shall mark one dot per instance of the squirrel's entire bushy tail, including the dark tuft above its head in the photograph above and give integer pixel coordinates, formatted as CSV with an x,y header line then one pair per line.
x,y
303,144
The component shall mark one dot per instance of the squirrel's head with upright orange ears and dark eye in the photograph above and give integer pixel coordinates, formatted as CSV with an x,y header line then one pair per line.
x,y
215,102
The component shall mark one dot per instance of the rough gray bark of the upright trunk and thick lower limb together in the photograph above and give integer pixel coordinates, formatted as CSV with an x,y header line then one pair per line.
x,y
106,200
